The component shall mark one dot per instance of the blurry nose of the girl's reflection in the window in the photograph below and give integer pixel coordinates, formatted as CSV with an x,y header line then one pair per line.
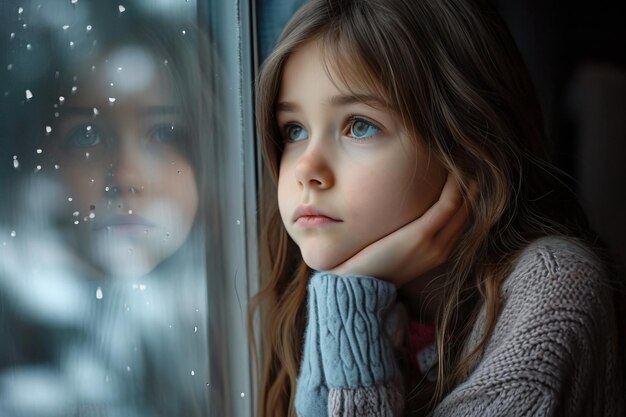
x,y
127,172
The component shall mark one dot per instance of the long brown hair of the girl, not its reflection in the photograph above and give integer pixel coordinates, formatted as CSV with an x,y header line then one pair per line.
x,y
450,69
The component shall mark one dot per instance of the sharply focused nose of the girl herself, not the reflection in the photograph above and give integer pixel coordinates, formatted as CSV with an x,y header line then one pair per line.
x,y
313,168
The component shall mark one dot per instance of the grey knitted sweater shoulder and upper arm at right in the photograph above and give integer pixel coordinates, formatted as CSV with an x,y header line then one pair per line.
x,y
553,350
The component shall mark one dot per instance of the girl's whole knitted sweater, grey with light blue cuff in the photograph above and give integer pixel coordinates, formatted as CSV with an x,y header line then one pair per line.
x,y
553,351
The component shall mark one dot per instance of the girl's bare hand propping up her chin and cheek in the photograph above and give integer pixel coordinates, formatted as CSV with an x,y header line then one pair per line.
x,y
417,247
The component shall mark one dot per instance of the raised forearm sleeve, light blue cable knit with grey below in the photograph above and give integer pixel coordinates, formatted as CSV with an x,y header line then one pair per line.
x,y
348,366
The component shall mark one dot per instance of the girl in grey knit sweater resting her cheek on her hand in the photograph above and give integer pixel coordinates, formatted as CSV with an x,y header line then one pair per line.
x,y
403,143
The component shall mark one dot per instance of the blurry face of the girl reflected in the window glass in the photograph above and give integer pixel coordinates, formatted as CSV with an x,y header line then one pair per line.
x,y
131,191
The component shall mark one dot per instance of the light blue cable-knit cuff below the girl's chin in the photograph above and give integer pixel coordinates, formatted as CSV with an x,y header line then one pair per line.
x,y
350,313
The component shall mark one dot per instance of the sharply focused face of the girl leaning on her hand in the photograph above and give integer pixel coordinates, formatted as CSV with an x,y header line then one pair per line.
x,y
349,173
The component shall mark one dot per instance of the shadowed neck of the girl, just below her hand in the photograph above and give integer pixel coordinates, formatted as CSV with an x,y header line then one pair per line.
x,y
423,295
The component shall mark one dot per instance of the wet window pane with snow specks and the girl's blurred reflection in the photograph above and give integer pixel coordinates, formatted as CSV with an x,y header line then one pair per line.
x,y
107,124
